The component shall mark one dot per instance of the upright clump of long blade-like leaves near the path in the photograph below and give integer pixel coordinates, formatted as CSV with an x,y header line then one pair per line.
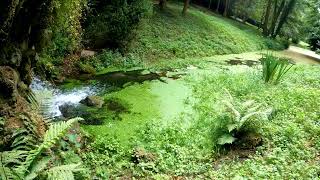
x,y
274,68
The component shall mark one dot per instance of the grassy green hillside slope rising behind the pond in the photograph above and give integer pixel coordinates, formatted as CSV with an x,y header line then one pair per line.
x,y
168,35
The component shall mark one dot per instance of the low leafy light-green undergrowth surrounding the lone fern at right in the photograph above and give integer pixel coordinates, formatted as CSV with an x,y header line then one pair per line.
x,y
187,147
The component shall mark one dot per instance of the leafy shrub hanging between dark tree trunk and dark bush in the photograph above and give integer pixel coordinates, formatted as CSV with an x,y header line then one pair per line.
x,y
63,35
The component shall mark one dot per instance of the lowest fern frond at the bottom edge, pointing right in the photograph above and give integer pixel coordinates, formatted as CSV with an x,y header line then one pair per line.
x,y
64,172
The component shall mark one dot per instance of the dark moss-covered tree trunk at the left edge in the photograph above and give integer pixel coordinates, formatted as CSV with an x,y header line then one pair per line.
x,y
21,25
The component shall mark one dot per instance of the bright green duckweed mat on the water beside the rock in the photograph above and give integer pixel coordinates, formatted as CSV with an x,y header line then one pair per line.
x,y
144,103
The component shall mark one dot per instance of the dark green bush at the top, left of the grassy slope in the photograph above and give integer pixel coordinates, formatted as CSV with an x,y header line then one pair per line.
x,y
112,23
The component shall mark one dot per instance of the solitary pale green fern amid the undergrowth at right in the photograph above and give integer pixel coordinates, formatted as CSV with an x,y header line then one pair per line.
x,y
238,117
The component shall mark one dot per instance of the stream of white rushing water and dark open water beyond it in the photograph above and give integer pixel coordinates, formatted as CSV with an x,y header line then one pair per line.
x,y
50,97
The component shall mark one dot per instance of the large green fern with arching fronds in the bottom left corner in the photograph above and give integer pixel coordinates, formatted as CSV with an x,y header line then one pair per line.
x,y
22,164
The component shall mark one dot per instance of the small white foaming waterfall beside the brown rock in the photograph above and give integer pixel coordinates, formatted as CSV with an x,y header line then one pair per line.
x,y
50,97
